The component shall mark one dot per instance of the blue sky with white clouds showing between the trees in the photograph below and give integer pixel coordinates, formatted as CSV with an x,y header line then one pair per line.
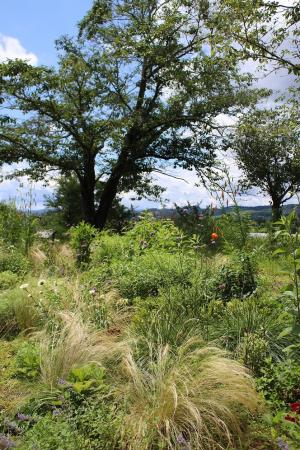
x,y
29,28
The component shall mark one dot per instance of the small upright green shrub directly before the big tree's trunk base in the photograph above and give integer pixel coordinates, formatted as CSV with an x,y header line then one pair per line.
x,y
81,238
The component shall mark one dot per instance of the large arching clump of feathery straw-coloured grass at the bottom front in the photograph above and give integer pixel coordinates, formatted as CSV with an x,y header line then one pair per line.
x,y
194,397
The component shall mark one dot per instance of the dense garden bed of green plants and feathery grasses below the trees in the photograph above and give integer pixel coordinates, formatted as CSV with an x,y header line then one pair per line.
x,y
156,338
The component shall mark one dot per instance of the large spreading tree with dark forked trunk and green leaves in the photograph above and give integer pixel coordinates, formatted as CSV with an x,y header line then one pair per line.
x,y
139,90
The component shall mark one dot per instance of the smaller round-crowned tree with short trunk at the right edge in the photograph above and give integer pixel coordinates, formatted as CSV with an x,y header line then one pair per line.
x,y
267,149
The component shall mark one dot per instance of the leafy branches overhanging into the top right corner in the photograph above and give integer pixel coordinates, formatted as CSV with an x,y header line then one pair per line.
x,y
265,31
